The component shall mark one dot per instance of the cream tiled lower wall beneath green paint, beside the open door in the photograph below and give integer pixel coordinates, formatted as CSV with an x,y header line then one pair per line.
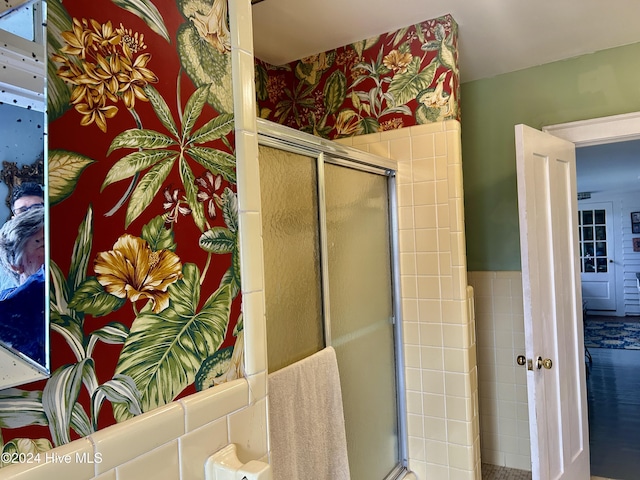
x,y
502,384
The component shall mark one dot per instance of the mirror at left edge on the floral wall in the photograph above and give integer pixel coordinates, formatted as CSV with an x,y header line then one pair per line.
x,y
24,325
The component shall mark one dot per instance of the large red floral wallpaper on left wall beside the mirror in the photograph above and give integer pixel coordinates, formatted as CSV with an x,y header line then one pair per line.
x,y
144,268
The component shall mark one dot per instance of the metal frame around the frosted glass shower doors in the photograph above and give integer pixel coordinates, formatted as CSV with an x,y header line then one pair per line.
x,y
324,151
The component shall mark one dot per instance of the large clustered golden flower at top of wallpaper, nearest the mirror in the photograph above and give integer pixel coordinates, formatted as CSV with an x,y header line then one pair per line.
x,y
103,65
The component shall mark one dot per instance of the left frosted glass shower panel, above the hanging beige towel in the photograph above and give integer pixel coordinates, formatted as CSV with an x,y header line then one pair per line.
x,y
293,305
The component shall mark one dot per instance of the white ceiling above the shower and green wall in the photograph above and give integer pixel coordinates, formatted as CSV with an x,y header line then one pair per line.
x,y
495,36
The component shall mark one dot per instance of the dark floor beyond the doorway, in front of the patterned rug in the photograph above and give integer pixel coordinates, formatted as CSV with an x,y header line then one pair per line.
x,y
613,391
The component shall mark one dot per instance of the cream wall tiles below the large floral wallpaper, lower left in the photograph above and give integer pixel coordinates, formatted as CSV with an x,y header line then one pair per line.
x,y
168,443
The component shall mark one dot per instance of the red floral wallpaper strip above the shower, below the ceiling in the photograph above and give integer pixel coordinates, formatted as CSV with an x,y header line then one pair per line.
x,y
400,79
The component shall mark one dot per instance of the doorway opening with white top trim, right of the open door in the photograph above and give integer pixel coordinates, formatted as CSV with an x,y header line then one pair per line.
x,y
609,184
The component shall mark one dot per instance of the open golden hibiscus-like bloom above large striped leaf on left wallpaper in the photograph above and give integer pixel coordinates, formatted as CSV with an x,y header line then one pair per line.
x,y
132,270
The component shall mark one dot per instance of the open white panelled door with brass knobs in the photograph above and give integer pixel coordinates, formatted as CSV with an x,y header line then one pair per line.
x,y
556,382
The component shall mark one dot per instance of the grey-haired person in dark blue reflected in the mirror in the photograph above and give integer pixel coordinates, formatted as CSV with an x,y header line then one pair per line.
x,y
22,256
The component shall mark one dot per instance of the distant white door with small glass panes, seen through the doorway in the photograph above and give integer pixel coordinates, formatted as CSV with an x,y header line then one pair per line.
x,y
595,227
